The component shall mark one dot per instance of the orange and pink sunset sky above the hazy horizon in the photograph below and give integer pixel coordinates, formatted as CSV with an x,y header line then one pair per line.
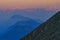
x,y
24,4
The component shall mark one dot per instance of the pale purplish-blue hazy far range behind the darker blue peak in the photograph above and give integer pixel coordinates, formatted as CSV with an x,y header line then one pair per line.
x,y
35,14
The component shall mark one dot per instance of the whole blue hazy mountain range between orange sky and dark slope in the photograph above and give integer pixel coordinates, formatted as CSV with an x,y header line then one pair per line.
x,y
18,23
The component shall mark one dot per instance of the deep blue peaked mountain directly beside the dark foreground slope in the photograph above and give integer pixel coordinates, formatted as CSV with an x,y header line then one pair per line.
x,y
21,28
